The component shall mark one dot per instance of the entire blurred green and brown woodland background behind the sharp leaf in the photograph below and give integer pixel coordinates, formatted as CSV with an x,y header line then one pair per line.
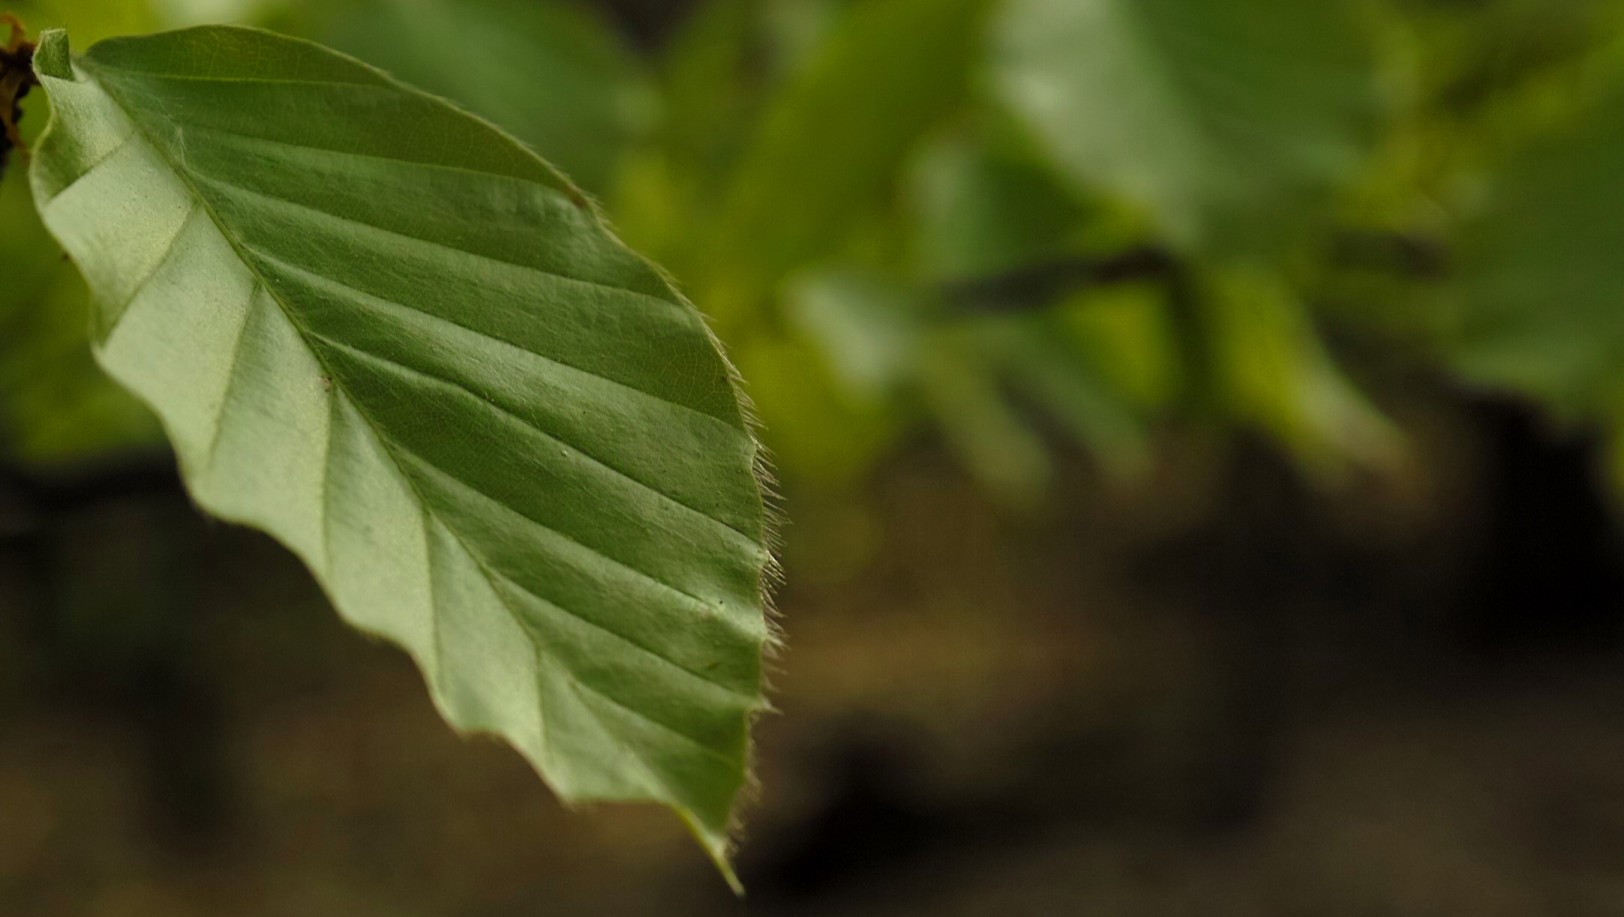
x,y
1201,426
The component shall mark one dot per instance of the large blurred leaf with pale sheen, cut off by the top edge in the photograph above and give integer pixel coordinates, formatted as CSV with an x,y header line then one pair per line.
x,y
1219,119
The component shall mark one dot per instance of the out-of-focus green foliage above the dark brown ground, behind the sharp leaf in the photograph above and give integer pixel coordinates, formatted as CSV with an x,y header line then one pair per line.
x,y
1022,226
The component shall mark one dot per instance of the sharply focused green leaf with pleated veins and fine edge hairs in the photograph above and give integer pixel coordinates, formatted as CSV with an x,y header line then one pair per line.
x,y
395,340
